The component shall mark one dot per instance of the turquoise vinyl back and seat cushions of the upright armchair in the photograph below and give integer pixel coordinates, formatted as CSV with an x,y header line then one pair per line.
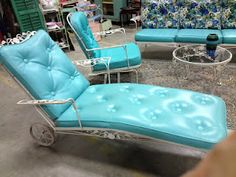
x,y
118,55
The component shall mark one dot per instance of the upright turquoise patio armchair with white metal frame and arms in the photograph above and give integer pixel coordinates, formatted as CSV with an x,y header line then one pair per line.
x,y
123,58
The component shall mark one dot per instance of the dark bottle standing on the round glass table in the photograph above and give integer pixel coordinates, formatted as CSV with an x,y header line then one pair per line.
x,y
211,45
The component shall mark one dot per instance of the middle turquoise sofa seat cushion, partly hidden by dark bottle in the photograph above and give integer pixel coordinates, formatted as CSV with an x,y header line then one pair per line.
x,y
196,35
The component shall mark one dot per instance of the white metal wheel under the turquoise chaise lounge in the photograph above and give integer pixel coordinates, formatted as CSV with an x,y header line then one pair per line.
x,y
43,134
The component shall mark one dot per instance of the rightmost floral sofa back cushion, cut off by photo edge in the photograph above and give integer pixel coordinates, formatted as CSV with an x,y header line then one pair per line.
x,y
229,14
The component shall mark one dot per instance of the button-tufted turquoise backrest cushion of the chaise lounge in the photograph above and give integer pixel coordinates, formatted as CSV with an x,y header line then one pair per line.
x,y
44,70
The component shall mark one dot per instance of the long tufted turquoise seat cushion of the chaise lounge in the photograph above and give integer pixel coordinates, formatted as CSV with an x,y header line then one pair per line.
x,y
176,115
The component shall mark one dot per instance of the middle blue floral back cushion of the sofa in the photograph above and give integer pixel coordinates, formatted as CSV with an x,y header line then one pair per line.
x,y
200,14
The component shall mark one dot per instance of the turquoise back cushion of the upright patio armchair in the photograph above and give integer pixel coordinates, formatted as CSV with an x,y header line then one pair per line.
x,y
80,24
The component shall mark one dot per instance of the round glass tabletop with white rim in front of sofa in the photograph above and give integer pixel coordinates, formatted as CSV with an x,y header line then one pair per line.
x,y
198,55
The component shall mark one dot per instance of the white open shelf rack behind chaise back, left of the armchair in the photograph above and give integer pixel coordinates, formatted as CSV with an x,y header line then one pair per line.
x,y
55,24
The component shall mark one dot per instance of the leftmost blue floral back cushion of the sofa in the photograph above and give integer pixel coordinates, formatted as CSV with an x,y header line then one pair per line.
x,y
160,14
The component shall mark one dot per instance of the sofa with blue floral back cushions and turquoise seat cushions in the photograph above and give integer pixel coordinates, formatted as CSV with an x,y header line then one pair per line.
x,y
187,21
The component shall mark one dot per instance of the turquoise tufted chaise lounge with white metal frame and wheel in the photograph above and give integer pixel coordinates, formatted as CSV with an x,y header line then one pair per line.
x,y
69,104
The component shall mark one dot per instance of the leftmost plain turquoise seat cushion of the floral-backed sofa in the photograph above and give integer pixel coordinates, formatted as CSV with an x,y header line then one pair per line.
x,y
156,35
